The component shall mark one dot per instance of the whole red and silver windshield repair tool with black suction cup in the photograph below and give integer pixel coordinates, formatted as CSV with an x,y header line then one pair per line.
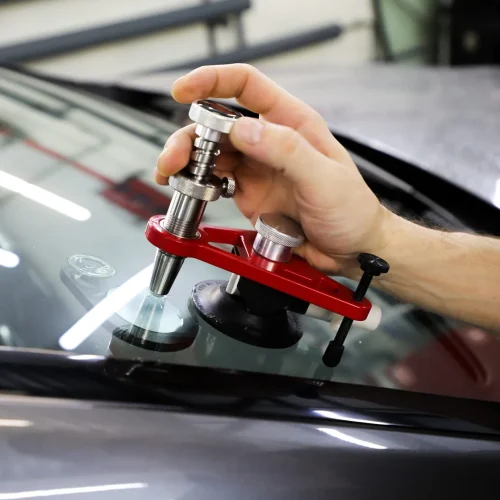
x,y
269,284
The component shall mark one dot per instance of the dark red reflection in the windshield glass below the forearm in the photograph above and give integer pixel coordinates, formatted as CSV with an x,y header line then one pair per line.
x,y
466,359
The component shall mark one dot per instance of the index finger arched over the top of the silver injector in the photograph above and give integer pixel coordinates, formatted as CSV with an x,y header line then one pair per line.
x,y
261,95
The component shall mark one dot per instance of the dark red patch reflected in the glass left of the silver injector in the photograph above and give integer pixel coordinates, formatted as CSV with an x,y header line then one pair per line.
x,y
137,197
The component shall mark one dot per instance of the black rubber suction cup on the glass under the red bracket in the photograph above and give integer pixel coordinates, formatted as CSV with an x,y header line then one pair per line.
x,y
227,313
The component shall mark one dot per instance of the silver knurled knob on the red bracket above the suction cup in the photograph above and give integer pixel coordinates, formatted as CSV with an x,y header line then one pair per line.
x,y
276,236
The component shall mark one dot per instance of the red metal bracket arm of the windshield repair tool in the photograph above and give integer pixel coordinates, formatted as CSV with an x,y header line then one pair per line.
x,y
296,278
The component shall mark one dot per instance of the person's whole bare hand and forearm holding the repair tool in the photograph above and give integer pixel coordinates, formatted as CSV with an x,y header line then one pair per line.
x,y
288,161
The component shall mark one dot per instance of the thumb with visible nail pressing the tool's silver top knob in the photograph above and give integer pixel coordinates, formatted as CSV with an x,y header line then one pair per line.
x,y
278,147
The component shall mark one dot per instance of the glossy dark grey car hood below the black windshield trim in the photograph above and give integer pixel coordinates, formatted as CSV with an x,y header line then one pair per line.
x,y
69,447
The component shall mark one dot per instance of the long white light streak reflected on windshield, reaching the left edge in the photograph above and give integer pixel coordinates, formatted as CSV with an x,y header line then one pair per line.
x,y
44,197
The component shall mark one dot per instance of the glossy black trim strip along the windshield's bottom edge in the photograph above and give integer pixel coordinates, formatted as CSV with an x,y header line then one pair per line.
x,y
170,387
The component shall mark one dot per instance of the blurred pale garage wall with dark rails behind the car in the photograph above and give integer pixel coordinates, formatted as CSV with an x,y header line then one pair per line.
x,y
109,38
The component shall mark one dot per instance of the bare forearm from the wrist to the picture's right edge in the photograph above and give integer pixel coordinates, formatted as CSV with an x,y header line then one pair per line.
x,y
454,274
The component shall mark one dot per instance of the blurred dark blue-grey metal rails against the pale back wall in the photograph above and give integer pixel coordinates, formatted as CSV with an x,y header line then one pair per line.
x,y
208,12
